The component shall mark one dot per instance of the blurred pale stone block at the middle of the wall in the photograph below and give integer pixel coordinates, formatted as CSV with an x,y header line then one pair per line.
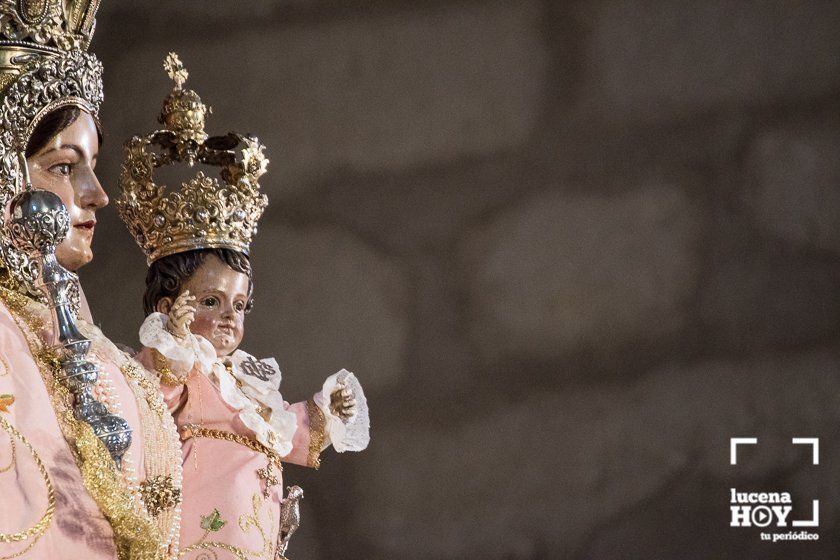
x,y
562,272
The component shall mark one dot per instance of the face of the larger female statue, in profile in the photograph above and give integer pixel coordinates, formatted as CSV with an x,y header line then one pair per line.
x,y
65,167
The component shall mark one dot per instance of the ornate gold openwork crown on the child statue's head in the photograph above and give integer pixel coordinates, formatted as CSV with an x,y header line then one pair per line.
x,y
205,213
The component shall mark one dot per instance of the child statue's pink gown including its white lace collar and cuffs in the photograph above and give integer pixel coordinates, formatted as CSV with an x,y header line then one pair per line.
x,y
228,507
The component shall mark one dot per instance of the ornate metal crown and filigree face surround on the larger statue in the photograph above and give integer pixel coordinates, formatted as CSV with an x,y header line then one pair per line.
x,y
43,67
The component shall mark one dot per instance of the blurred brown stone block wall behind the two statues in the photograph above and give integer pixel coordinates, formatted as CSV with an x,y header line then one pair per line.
x,y
571,248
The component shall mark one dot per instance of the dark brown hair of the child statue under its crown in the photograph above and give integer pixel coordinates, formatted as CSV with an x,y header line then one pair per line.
x,y
167,275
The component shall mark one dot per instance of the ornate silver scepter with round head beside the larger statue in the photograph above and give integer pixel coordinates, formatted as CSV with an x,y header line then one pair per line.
x,y
39,222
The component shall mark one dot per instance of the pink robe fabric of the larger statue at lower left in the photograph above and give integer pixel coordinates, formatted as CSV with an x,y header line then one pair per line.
x,y
77,528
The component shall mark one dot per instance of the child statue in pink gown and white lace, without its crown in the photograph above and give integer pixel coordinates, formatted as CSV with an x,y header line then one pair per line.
x,y
236,428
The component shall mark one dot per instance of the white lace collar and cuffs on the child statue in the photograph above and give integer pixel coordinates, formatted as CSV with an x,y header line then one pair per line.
x,y
251,385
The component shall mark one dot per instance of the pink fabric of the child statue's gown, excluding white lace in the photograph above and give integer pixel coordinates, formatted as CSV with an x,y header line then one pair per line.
x,y
220,475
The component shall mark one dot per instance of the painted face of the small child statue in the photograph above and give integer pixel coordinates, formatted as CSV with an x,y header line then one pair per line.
x,y
221,295
